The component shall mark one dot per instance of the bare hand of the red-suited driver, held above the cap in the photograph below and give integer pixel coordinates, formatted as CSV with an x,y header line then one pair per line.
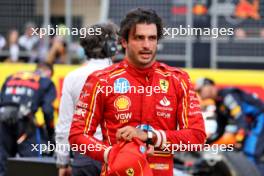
x,y
128,132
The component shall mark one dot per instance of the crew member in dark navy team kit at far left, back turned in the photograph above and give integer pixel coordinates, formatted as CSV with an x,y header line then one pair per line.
x,y
21,96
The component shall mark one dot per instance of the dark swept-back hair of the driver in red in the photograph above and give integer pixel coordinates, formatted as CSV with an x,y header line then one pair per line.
x,y
138,16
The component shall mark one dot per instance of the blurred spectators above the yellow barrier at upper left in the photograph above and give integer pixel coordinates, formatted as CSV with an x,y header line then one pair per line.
x,y
31,48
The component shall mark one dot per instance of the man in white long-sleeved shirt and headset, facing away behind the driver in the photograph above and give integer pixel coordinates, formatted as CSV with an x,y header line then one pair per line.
x,y
99,50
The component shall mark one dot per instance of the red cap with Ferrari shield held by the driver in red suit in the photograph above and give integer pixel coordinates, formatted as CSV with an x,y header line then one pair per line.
x,y
129,159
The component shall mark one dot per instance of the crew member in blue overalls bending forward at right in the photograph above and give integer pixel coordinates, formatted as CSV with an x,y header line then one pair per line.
x,y
245,109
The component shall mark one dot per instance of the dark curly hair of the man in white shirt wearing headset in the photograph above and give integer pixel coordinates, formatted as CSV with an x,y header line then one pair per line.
x,y
93,45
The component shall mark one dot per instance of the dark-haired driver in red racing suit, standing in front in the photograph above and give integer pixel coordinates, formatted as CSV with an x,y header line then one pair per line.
x,y
170,115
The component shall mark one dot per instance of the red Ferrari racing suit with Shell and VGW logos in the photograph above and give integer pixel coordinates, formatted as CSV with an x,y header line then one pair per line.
x,y
122,95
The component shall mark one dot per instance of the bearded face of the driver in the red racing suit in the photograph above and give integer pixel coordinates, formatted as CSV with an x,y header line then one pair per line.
x,y
141,46
